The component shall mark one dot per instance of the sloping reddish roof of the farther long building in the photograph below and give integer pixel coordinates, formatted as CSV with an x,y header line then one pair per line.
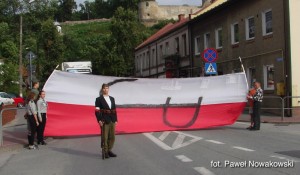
x,y
163,31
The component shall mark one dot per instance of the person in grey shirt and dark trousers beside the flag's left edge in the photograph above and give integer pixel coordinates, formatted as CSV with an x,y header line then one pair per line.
x,y
42,107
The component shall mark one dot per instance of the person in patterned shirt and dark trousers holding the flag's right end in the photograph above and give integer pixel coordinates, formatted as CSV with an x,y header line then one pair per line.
x,y
257,100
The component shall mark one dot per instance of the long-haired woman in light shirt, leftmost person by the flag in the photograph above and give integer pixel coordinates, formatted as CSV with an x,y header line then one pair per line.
x,y
32,119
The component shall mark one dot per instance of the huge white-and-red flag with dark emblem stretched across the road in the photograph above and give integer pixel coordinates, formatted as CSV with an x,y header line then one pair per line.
x,y
143,104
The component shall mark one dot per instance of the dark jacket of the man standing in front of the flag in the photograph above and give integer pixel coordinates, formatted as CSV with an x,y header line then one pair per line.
x,y
107,117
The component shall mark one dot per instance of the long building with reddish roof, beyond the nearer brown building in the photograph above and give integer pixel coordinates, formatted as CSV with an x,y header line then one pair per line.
x,y
169,46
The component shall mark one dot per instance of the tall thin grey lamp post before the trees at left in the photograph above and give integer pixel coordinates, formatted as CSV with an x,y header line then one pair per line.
x,y
20,53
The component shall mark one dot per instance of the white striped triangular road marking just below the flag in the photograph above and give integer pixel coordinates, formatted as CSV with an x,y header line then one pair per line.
x,y
178,142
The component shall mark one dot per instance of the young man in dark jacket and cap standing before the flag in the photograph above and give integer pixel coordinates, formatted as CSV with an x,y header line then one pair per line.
x,y
107,118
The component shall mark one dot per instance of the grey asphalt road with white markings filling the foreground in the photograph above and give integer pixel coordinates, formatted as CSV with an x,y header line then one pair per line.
x,y
231,150
